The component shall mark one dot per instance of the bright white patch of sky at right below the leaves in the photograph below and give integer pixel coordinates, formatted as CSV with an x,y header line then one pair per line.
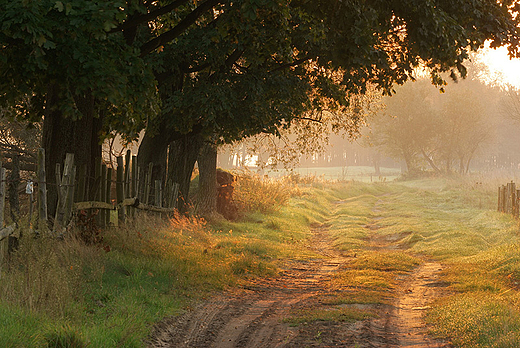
x,y
502,69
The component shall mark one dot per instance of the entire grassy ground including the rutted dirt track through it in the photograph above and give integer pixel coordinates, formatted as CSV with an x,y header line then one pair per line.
x,y
333,259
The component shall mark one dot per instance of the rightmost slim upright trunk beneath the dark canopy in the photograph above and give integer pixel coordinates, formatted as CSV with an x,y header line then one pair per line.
x,y
207,196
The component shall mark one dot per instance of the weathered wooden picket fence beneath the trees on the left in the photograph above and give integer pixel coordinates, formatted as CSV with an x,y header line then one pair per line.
x,y
116,193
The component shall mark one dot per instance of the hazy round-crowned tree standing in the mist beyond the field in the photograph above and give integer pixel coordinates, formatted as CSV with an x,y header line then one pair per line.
x,y
422,125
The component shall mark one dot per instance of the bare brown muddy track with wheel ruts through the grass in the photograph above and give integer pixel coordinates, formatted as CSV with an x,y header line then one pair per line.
x,y
255,316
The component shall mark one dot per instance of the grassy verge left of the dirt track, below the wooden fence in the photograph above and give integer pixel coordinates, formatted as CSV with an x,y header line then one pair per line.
x,y
63,293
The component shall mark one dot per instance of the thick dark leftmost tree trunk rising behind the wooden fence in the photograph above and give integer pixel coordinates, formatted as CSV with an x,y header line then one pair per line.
x,y
63,135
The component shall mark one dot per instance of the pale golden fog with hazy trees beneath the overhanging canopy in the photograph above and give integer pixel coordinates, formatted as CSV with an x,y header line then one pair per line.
x,y
468,126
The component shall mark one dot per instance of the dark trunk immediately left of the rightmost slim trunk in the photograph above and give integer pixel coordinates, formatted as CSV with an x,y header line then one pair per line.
x,y
181,161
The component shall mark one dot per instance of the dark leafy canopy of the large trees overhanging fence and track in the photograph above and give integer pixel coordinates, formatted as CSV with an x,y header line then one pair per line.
x,y
243,66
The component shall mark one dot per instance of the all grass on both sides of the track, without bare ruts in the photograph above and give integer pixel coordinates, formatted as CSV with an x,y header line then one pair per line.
x,y
66,294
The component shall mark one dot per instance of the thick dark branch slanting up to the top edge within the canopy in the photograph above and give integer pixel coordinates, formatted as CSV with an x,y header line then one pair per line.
x,y
184,24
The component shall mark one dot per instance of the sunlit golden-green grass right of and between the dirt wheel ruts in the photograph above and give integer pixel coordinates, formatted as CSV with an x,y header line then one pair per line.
x,y
451,221
